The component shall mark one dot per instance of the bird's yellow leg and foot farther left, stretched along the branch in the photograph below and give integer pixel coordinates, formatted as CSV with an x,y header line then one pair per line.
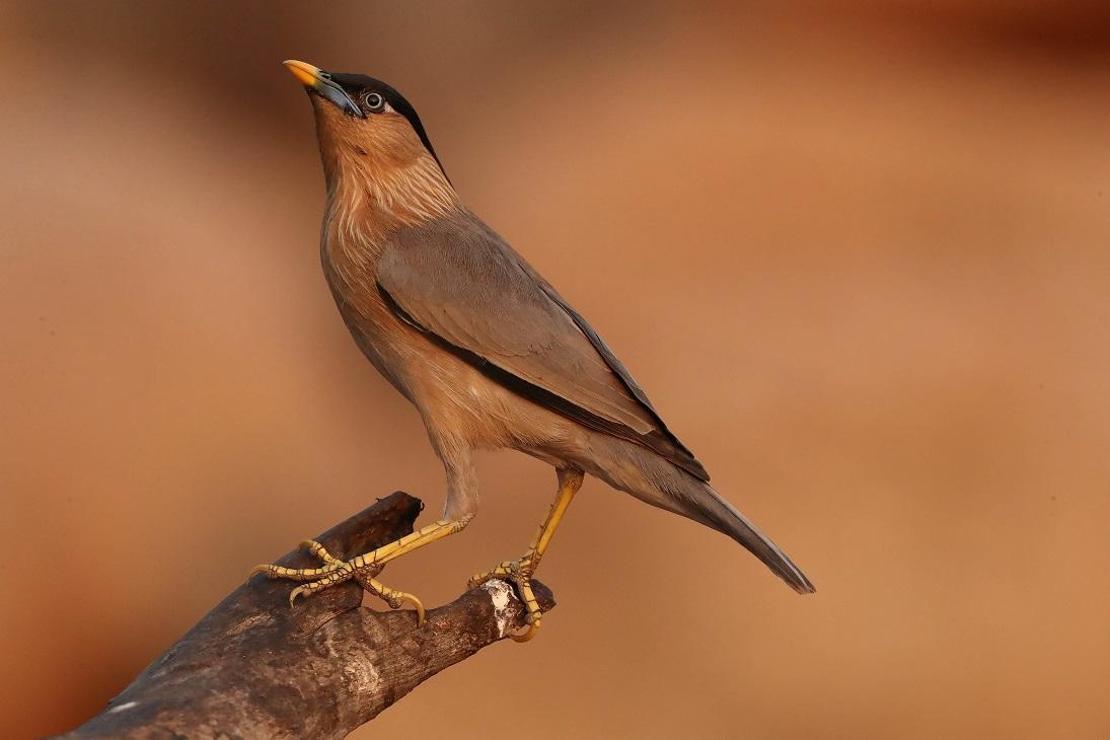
x,y
362,569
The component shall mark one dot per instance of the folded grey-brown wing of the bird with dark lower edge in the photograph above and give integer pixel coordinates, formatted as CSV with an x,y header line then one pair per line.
x,y
459,282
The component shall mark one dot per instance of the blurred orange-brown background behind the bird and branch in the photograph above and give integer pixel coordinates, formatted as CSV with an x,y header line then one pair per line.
x,y
857,252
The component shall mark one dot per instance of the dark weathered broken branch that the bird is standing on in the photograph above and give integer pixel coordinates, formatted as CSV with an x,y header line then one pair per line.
x,y
254,667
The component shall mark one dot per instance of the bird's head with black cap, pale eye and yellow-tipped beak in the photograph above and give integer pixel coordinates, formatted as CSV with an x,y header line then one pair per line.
x,y
371,135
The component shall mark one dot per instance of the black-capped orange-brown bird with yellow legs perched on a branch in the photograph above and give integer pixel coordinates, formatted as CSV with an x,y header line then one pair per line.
x,y
489,352
